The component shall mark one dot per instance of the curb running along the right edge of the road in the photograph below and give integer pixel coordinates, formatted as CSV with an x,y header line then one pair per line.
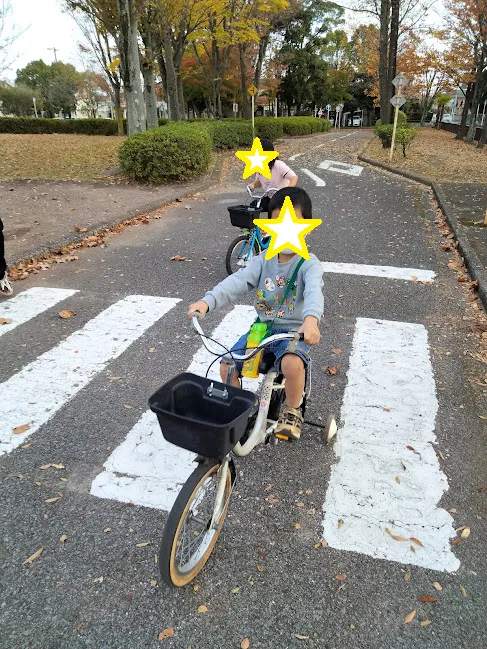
x,y
472,262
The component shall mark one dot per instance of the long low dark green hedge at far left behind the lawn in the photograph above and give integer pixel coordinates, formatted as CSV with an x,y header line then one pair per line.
x,y
45,125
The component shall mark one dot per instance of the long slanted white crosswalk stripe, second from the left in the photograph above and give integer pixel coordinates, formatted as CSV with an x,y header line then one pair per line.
x,y
40,389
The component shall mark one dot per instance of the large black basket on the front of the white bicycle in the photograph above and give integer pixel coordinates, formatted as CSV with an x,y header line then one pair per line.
x,y
202,415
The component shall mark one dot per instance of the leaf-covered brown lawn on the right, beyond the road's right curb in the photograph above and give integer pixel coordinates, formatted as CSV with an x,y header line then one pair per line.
x,y
437,155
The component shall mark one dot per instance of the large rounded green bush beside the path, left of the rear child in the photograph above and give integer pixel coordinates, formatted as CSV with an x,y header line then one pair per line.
x,y
174,152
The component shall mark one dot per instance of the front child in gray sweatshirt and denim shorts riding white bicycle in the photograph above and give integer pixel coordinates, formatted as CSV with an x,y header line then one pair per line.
x,y
283,305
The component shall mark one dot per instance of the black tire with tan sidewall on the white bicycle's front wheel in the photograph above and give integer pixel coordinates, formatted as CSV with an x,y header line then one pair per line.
x,y
168,568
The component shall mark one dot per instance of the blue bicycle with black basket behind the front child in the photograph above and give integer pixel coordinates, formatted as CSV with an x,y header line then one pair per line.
x,y
250,242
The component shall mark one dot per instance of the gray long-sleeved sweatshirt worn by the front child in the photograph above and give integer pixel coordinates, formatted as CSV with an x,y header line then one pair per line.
x,y
270,278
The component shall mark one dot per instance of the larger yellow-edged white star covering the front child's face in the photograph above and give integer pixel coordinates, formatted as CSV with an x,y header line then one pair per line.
x,y
287,231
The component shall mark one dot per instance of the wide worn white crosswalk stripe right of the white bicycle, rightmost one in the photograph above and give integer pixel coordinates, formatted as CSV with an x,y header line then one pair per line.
x,y
389,404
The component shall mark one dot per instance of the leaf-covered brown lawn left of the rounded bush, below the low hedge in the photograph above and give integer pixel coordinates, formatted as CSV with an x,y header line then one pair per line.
x,y
57,156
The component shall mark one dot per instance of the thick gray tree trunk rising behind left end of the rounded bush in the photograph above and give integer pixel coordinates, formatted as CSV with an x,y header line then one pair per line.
x,y
129,63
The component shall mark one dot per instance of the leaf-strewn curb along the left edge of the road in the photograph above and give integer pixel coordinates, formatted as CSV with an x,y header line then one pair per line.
x,y
212,179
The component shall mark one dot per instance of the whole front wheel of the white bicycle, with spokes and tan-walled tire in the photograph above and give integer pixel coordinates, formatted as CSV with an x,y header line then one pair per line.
x,y
188,541
